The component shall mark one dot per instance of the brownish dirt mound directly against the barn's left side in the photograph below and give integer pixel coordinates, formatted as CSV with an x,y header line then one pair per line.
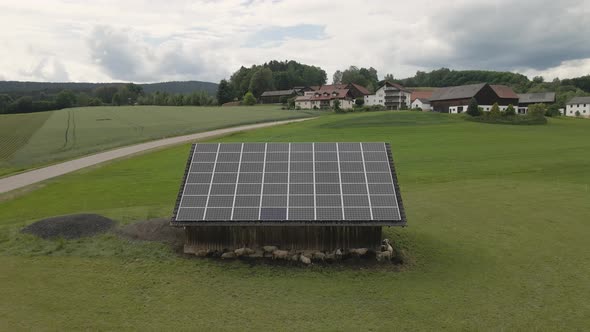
x,y
157,230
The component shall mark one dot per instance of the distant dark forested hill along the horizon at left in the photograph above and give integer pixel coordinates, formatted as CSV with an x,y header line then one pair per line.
x,y
25,88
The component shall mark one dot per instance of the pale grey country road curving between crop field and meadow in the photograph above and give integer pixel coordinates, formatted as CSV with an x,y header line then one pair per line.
x,y
41,174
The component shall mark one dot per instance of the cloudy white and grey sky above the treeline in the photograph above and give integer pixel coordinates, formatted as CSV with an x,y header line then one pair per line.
x,y
149,40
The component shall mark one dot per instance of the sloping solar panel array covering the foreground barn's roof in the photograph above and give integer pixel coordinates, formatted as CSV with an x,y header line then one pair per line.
x,y
290,183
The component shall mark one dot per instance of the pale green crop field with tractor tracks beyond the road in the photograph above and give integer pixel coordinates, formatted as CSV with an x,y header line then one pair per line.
x,y
36,139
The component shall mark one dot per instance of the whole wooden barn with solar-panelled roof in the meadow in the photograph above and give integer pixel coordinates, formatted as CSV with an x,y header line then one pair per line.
x,y
295,196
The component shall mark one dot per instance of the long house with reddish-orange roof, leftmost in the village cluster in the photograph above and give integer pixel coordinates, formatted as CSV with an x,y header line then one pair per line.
x,y
325,98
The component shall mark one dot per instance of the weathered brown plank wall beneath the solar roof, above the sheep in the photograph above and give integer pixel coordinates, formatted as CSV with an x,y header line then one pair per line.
x,y
324,238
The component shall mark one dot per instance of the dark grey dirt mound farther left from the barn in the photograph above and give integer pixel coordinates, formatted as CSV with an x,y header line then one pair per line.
x,y
70,227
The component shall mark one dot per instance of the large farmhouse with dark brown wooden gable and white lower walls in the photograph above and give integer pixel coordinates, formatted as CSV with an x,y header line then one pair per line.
x,y
456,99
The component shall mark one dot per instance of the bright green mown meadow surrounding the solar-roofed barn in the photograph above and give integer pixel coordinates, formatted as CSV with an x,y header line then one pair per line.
x,y
498,227
